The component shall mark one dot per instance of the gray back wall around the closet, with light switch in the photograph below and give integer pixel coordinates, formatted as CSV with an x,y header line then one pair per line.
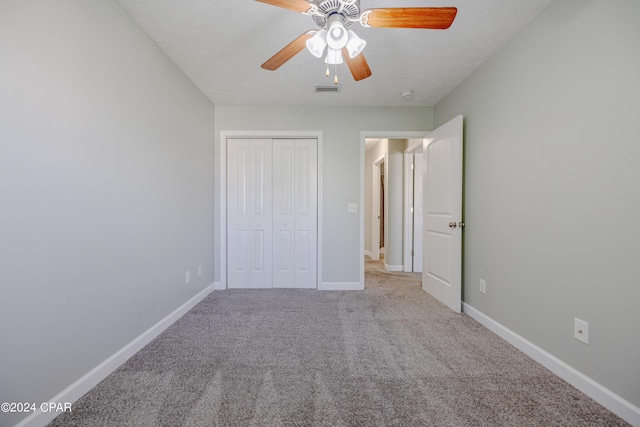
x,y
341,129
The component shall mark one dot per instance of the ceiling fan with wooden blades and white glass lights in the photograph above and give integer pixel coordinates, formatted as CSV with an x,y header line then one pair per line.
x,y
335,17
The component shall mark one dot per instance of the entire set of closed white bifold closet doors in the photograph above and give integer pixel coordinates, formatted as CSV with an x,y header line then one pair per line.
x,y
272,213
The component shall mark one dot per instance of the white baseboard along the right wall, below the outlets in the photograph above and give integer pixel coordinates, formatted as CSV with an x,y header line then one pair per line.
x,y
616,404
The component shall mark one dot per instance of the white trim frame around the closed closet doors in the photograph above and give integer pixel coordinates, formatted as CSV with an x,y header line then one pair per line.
x,y
230,134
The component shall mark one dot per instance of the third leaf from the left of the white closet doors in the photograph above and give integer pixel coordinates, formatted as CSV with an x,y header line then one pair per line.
x,y
283,213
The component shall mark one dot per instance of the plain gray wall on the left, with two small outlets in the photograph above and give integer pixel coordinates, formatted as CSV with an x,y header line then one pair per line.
x,y
106,191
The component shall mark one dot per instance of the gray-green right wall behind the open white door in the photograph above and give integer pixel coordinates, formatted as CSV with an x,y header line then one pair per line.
x,y
552,176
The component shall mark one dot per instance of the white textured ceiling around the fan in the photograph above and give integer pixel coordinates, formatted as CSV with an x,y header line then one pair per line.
x,y
220,45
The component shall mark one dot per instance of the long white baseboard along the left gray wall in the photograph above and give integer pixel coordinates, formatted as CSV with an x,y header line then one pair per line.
x,y
76,390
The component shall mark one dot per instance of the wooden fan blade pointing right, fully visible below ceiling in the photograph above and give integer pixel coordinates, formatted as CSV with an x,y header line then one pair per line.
x,y
433,18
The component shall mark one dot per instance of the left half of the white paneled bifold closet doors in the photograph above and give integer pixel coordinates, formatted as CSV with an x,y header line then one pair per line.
x,y
249,213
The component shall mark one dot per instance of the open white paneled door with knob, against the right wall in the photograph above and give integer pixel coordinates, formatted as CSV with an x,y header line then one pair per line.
x,y
442,268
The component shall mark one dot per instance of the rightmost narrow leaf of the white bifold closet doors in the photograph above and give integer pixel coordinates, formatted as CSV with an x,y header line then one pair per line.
x,y
306,213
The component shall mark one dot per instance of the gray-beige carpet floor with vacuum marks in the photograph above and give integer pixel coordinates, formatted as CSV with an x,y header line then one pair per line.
x,y
388,356
